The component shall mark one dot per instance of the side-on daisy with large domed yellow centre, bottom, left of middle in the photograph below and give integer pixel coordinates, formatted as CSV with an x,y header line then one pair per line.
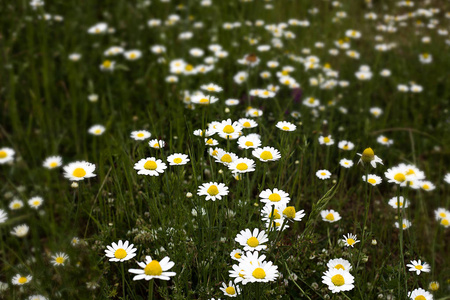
x,y
154,269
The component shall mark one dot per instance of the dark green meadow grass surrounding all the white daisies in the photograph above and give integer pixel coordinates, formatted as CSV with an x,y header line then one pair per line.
x,y
45,111
